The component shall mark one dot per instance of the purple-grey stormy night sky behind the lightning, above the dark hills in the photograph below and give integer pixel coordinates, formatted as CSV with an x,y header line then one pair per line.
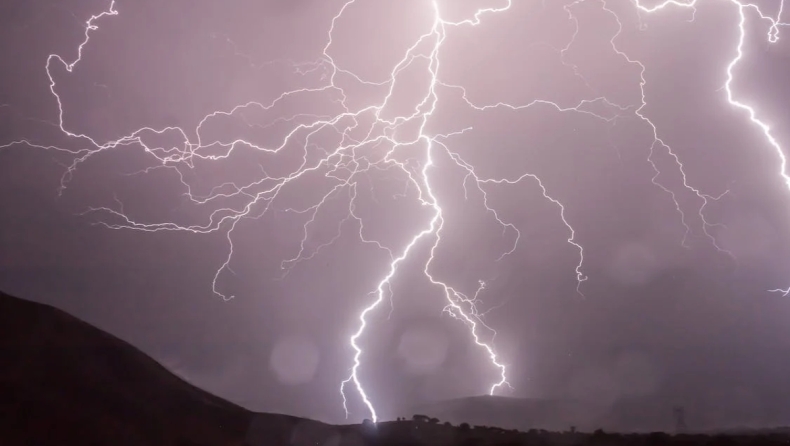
x,y
678,316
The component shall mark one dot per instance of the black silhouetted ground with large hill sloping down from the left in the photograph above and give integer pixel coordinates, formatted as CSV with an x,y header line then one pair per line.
x,y
64,382
